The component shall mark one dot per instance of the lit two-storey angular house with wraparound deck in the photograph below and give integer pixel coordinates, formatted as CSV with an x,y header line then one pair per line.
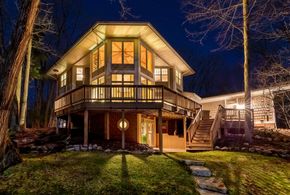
x,y
124,80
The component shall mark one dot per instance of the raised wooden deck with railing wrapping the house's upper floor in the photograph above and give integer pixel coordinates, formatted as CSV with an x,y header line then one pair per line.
x,y
108,97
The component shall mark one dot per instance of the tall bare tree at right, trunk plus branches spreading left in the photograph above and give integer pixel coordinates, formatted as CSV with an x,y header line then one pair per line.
x,y
230,20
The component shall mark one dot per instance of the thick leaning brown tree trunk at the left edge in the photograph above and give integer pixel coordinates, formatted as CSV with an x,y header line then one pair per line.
x,y
20,38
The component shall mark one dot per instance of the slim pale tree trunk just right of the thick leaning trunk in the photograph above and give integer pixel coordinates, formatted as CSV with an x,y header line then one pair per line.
x,y
23,112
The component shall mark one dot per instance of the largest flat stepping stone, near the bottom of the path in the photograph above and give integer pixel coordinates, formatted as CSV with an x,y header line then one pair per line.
x,y
211,183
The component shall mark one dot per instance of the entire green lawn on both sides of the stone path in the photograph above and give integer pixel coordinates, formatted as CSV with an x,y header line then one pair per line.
x,y
107,173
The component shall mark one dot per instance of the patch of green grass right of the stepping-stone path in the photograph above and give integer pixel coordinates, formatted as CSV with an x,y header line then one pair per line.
x,y
246,173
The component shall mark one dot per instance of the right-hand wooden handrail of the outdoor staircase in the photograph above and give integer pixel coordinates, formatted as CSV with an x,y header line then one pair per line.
x,y
216,125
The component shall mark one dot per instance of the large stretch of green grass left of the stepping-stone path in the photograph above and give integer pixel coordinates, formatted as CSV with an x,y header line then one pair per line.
x,y
97,173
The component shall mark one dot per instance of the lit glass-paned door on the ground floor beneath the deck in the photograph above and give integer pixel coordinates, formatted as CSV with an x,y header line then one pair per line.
x,y
147,130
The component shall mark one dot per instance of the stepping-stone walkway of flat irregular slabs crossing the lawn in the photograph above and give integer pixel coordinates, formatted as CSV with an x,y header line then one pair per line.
x,y
206,184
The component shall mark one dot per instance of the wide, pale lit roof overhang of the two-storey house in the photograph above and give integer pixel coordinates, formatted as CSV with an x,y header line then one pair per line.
x,y
101,31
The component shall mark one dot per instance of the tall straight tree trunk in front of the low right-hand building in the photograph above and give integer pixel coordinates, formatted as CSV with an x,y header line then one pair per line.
x,y
248,123
